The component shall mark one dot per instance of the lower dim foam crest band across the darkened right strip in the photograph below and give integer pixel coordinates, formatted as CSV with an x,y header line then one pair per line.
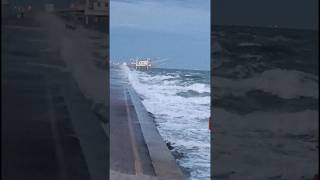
x,y
302,122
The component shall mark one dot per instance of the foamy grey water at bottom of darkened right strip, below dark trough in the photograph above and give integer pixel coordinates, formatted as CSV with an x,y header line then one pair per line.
x,y
250,140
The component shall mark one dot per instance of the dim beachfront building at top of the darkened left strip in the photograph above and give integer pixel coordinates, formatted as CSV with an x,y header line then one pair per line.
x,y
96,13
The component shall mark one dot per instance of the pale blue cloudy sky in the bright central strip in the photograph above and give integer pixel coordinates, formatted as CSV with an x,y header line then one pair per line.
x,y
175,32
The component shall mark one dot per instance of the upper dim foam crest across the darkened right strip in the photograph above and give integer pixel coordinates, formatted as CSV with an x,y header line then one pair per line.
x,y
286,84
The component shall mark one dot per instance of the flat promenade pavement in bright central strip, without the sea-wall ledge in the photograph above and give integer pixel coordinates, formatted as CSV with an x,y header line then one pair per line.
x,y
128,151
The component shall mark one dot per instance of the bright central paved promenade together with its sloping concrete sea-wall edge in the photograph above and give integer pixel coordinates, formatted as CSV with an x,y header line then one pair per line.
x,y
137,151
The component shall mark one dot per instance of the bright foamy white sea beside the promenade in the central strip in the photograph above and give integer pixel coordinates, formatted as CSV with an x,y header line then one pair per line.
x,y
179,100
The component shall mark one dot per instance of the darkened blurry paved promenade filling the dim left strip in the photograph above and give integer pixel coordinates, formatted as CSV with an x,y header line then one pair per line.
x,y
43,134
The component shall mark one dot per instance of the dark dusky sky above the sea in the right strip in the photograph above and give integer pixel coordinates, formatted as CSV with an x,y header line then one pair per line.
x,y
298,14
